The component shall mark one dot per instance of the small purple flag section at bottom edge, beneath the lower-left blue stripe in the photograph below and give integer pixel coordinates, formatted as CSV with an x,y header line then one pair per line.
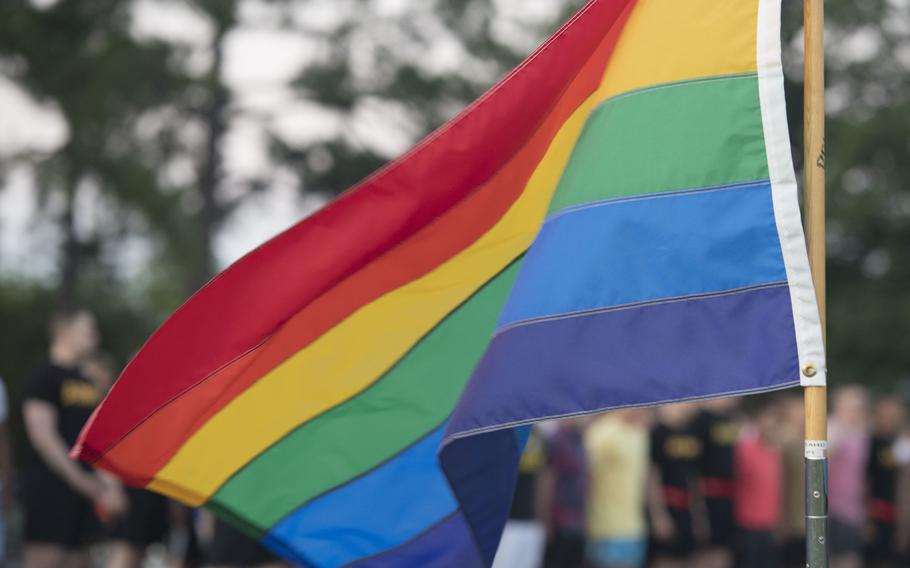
x,y
446,545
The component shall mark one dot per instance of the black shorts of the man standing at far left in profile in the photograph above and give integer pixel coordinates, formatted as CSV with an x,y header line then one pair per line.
x,y
55,513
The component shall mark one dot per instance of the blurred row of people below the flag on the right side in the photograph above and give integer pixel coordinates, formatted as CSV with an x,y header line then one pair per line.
x,y
715,484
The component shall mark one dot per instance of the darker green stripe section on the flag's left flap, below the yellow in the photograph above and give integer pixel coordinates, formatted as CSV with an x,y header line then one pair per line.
x,y
413,398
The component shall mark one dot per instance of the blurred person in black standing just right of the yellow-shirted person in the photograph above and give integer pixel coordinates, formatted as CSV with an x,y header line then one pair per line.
x,y
672,496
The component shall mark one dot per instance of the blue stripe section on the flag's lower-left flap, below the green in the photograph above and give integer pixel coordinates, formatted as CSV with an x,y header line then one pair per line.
x,y
382,510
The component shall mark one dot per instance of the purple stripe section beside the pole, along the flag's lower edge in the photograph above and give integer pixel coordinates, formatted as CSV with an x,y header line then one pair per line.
x,y
661,352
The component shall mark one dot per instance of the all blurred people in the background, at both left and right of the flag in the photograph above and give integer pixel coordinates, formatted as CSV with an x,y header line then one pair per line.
x,y
711,484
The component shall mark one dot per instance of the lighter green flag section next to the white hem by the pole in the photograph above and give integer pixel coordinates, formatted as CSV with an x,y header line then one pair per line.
x,y
675,136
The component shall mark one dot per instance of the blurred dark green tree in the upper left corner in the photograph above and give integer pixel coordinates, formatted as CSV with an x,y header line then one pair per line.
x,y
80,57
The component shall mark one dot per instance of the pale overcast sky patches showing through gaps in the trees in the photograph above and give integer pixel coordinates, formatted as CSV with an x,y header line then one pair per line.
x,y
260,58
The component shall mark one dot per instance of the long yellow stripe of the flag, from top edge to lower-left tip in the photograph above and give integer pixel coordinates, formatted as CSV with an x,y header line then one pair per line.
x,y
349,357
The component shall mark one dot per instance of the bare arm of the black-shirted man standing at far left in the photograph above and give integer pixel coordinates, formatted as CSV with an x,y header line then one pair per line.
x,y
40,419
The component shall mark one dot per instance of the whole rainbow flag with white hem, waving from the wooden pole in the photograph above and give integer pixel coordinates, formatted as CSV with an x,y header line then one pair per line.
x,y
615,223
